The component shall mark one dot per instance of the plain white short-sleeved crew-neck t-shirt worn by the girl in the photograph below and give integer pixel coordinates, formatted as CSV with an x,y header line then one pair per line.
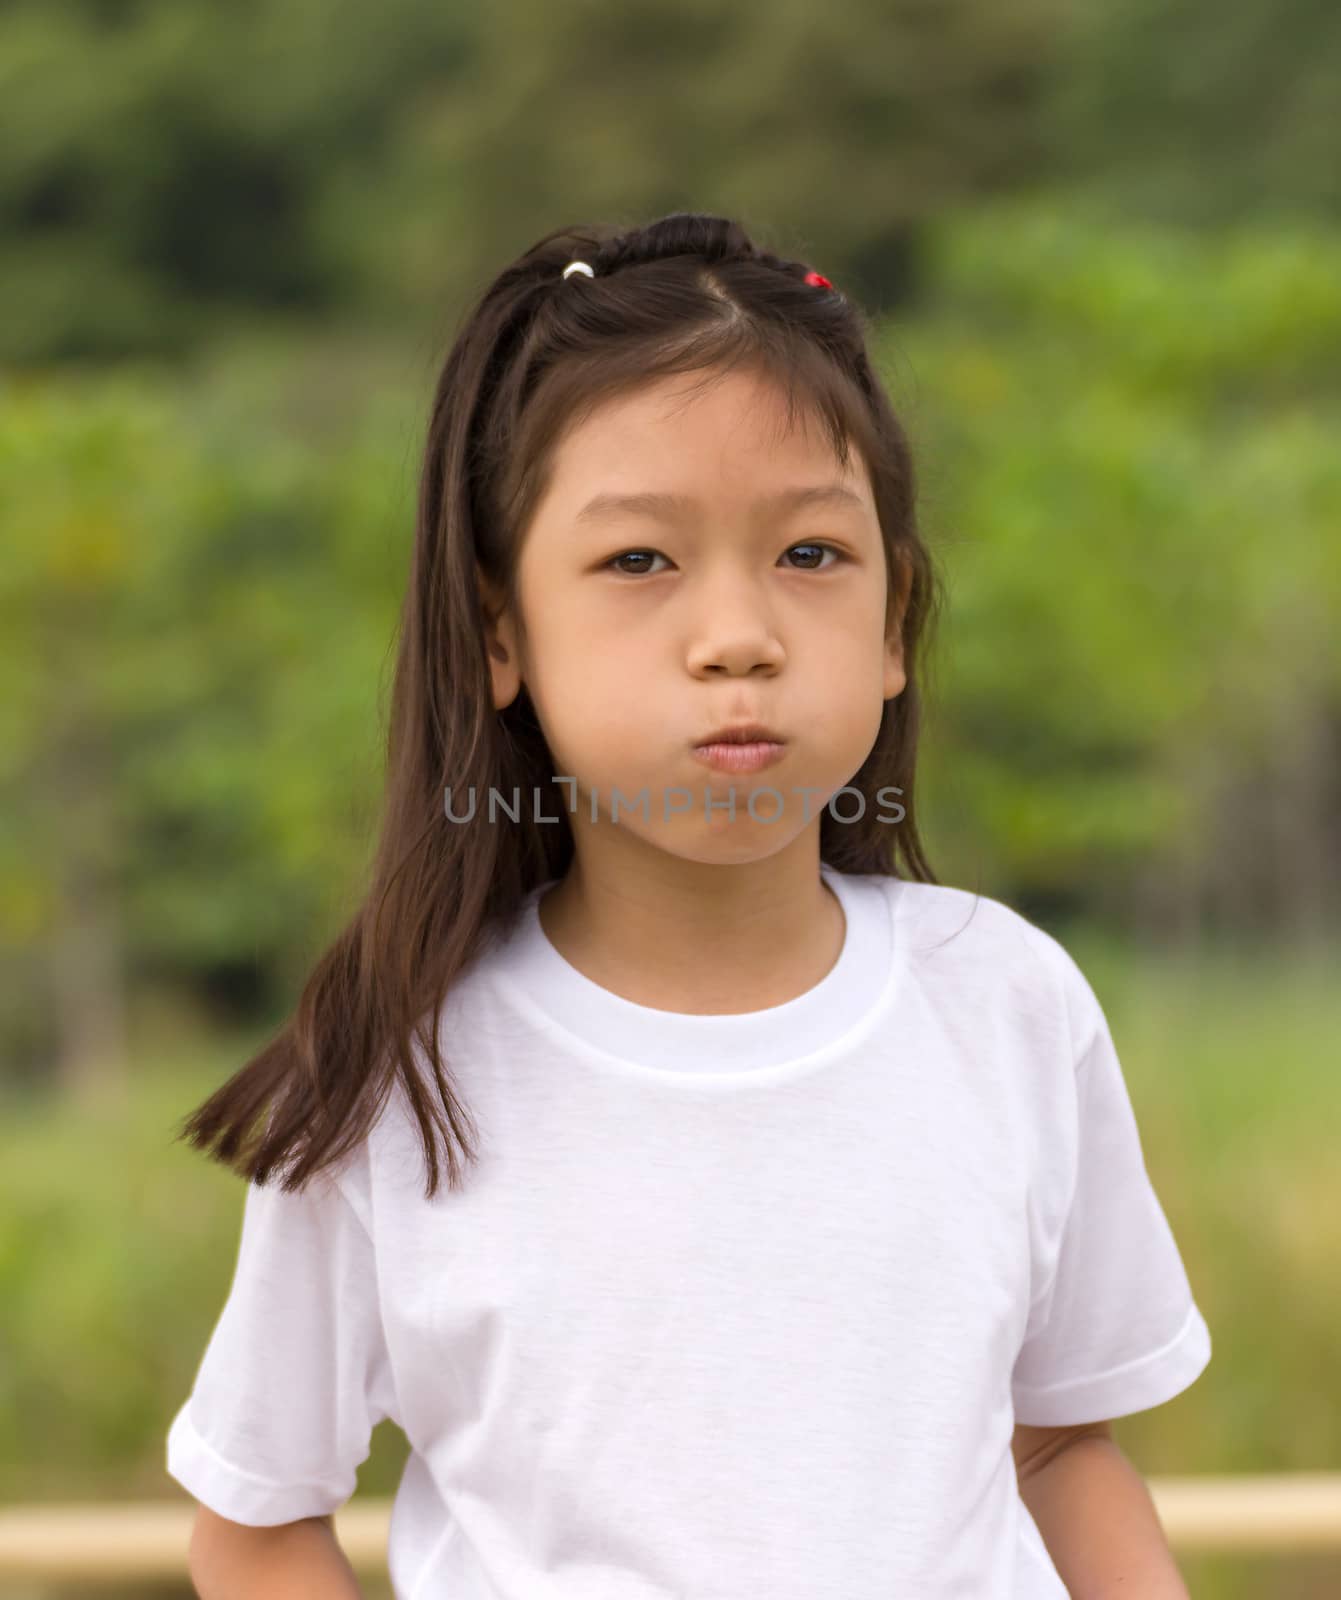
x,y
731,1306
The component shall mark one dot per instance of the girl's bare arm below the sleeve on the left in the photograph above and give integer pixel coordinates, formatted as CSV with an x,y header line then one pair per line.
x,y
294,1561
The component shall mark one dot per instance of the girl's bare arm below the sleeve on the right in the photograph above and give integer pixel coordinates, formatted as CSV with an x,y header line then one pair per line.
x,y
1097,1518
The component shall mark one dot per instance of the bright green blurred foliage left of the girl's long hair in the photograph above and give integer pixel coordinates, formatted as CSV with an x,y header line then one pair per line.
x,y
196,622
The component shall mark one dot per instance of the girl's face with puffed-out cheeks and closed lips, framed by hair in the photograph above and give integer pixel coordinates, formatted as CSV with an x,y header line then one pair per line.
x,y
731,601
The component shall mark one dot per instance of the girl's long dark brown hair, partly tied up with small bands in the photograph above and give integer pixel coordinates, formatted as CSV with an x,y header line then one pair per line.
x,y
684,295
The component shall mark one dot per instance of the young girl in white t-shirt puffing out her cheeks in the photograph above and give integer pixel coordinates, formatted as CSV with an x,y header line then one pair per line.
x,y
796,1239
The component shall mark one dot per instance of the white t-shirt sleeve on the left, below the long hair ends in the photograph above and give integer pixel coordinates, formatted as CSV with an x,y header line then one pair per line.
x,y
295,1375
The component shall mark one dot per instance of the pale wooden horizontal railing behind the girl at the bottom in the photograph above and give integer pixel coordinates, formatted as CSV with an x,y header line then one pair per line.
x,y
148,1542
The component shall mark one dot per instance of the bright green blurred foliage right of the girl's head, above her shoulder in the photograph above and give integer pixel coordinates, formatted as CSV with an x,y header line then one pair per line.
x,y
1129,449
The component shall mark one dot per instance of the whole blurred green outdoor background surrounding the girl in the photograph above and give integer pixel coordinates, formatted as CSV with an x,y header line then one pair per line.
x,y
1103,249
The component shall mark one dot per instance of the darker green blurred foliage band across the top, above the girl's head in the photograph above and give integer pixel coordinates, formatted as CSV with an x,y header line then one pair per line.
x,y
167,167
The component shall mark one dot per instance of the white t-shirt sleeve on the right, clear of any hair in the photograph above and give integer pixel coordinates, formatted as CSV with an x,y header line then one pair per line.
x,y
1118,1329
